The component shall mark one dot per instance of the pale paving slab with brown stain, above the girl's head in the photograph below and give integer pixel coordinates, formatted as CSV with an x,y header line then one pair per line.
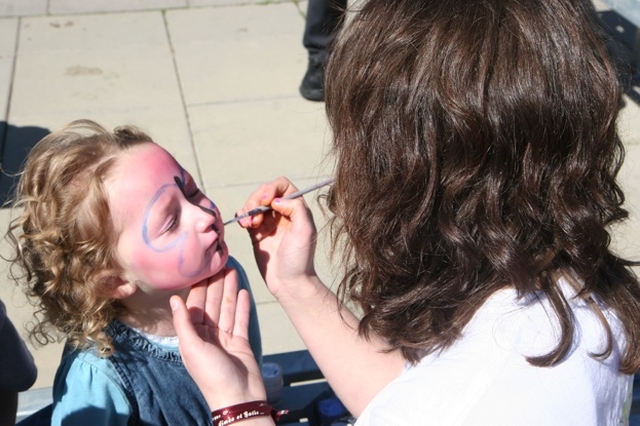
x,y
93,63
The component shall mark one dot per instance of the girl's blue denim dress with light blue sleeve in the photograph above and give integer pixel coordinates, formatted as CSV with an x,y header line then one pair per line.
x,y
142,383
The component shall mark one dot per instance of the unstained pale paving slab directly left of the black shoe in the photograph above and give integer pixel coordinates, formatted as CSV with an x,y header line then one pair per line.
x,y
230,53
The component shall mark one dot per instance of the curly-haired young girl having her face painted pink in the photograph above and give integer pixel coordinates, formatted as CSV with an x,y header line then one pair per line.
x,y
111,226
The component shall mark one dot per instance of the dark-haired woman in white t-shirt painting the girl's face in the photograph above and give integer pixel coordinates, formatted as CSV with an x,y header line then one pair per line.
x,y
476,160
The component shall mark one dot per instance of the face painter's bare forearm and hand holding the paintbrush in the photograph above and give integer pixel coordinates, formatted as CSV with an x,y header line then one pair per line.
x,y
284,247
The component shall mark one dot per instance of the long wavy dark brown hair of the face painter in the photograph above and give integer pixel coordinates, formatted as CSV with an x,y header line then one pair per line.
x,y
476,149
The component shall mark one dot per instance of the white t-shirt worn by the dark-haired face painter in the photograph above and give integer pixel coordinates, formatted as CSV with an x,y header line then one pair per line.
x,y
484,379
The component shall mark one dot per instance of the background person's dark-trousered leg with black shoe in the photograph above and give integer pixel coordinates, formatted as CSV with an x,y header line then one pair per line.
x,y
323,21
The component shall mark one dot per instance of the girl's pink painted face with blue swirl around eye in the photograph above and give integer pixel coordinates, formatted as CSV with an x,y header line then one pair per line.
x,y
171,234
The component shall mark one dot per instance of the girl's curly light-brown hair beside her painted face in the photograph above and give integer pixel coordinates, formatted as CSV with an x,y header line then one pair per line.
x,y
63,234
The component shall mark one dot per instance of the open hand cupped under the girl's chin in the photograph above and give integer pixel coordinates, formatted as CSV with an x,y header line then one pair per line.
x,y
212,329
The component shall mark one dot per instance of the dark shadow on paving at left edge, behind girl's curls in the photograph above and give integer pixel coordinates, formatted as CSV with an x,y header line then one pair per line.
x,y
15,144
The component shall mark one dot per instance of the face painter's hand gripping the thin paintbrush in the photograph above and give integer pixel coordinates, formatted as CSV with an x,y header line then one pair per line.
x,y
284,239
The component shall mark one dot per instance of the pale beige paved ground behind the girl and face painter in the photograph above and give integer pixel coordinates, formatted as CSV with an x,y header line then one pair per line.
x,y
214,81
